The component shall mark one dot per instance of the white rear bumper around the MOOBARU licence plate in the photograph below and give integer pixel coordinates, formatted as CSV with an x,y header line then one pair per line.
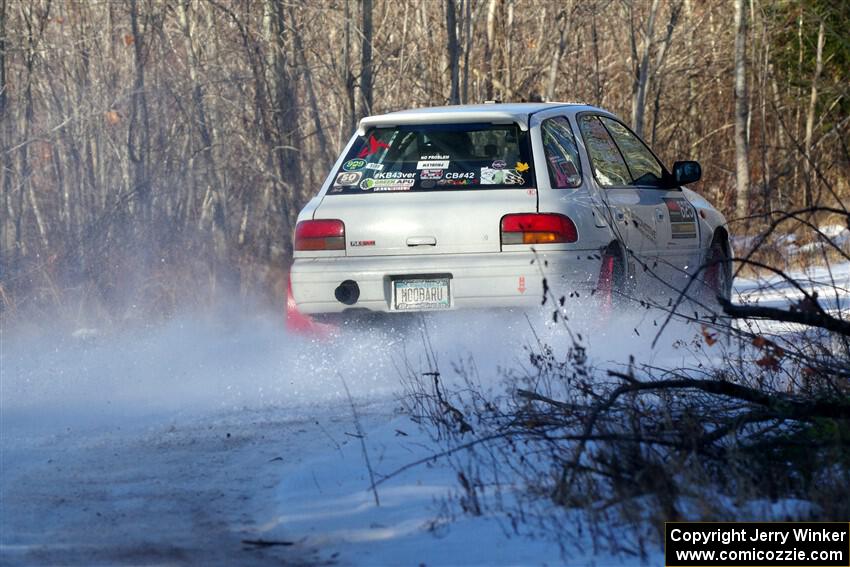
x,y
477,280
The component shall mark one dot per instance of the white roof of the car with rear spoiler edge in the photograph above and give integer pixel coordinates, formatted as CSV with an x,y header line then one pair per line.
x,y
491,112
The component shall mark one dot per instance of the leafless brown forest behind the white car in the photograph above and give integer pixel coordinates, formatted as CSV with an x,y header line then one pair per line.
x,y
160,151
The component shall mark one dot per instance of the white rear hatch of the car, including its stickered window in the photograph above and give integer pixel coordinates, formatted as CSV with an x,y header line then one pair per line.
x,y
429,189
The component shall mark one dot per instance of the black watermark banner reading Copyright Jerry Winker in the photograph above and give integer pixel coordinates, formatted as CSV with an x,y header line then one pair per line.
x,y
757,544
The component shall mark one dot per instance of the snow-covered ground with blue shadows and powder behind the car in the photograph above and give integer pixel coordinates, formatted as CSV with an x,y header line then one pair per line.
x,y
204,442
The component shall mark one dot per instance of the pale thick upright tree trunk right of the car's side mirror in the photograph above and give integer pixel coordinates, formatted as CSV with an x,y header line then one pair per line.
x,y
742,150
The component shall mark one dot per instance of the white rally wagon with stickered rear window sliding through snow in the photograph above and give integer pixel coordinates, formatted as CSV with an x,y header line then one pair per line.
x,y
445,208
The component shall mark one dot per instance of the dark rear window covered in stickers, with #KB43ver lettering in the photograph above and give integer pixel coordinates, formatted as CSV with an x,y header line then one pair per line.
x,y
437,157
